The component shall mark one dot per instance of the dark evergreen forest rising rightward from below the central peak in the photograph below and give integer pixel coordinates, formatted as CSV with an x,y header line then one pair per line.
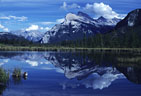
x,y
128,37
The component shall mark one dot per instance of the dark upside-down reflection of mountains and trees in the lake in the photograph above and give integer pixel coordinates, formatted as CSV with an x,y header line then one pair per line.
x,y
80,65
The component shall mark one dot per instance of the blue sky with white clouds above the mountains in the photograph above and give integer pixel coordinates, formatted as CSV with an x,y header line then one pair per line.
x,y
41,15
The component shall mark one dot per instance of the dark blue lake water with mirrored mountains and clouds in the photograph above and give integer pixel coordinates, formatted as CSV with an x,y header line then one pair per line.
x,y
73,74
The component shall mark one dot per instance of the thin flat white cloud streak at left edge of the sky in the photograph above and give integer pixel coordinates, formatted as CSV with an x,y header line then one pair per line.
x,y
22,18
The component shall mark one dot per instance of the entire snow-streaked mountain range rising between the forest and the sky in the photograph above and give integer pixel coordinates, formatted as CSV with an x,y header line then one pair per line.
x,y
78,26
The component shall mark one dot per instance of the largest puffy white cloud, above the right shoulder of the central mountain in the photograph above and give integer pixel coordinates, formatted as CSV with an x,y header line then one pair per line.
x,y
101,9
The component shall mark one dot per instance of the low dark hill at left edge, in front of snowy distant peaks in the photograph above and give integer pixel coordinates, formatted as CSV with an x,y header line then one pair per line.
x,y
9,38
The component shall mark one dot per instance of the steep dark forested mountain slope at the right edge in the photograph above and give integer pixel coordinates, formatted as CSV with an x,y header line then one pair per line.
x,y
126,33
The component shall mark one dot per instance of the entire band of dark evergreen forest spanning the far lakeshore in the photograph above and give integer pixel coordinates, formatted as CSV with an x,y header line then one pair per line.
x,y
126,37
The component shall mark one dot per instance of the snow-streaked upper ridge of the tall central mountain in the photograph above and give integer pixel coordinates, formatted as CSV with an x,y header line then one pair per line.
x,y
81,17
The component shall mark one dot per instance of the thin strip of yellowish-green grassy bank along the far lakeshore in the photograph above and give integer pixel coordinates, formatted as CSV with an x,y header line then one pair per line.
x,y
43,48
